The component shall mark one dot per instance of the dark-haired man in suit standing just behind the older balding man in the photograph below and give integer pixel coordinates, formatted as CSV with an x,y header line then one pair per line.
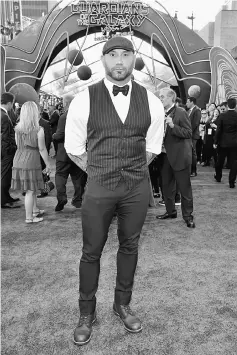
x,y
195,117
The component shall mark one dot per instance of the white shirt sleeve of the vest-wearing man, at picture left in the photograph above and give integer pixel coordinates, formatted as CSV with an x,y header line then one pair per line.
x,y
76,124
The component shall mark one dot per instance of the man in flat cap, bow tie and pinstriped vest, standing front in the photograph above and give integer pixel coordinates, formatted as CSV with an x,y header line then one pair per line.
x,y
123,125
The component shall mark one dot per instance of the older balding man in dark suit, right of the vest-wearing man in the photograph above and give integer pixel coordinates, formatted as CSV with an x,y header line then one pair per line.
x,y
177,160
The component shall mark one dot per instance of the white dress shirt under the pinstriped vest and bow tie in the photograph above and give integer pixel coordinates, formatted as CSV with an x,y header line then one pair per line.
x,y
78,115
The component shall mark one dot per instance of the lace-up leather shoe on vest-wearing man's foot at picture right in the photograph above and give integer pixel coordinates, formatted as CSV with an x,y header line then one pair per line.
x,y
131,323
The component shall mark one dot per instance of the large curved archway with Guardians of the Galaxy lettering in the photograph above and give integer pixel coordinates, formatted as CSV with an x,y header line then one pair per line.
x,y
31,53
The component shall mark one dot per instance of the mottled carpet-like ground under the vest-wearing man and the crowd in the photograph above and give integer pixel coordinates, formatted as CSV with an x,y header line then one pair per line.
x,y
185,288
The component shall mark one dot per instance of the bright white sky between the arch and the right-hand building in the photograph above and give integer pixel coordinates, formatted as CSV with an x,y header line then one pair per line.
x,y
204,11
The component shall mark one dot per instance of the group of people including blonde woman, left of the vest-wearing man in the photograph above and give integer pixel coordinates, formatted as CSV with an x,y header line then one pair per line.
x,y
27,135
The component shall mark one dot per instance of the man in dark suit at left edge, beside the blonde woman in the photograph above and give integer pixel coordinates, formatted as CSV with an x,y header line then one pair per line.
x,y
8,149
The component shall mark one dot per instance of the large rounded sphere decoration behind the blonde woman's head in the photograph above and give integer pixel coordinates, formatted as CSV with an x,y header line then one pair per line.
x,y
24,92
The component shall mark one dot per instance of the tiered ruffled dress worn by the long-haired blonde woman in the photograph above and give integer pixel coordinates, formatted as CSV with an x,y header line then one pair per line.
x,y
26,171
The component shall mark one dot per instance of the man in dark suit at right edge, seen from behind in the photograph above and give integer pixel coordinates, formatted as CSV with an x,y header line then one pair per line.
x,y
226,141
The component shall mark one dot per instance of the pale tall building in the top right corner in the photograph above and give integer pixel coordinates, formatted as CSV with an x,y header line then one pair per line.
x,y
222,32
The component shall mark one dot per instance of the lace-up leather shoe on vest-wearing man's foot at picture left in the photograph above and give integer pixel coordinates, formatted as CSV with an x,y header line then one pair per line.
x,y
83,331
